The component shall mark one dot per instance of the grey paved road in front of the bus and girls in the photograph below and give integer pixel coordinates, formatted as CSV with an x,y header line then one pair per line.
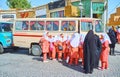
x,y
20,64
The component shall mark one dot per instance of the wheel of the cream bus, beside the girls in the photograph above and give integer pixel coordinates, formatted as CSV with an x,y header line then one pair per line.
x,y
36,50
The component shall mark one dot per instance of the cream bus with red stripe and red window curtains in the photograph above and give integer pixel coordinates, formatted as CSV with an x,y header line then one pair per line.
x,y
28,31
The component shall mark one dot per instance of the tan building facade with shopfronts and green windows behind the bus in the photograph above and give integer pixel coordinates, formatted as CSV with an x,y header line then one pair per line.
x,y
91,8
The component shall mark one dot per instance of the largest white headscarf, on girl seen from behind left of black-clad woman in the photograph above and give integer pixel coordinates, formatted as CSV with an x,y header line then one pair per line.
x,y
74,42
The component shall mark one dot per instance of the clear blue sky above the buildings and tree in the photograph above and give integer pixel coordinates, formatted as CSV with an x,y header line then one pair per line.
x,y
111,4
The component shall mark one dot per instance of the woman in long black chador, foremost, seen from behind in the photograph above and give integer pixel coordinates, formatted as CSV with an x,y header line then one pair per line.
x,y
89,50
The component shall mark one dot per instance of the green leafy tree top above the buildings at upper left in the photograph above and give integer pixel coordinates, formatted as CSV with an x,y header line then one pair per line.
x,y
18,4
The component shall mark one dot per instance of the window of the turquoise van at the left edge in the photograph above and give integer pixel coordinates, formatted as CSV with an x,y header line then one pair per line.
x,y
6,27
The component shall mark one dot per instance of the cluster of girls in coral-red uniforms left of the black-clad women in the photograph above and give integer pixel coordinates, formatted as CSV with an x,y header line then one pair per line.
x,y
62,47
